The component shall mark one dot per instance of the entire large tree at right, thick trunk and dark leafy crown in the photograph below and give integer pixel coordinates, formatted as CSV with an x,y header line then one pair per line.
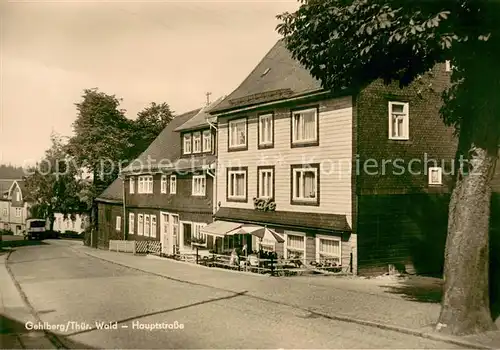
x,y
351,43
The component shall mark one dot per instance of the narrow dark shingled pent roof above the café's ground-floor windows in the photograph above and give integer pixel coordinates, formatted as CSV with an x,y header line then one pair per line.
x,y
329,222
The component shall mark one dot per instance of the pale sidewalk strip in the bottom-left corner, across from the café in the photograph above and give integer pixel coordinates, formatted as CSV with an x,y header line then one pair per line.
x,y
14,313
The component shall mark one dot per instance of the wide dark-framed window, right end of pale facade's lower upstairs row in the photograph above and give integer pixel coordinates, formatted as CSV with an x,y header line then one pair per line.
x,y
305,184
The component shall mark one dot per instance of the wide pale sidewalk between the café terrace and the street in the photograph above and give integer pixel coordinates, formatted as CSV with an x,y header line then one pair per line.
x,y
351,299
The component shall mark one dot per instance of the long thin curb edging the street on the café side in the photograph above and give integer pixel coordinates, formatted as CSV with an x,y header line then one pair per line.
x,y
348,319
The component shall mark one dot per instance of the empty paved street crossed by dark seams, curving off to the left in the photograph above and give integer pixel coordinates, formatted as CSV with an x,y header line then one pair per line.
x,y
81,293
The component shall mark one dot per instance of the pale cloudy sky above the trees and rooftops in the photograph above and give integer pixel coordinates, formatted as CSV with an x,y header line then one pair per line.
x,y
140,51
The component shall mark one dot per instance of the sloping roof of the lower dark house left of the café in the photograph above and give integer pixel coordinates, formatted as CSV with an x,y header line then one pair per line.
x,y
166,148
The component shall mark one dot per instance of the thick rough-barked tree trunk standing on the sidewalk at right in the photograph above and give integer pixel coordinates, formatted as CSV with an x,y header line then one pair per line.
x,y
465,307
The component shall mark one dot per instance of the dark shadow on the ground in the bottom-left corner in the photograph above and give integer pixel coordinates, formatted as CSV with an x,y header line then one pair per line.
x,y
14,335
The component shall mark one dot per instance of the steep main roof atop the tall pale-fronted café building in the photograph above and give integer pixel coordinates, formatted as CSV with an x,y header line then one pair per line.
x,y
278,76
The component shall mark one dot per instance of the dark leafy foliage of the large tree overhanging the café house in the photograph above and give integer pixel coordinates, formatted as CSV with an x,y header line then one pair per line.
x,y
352,43
